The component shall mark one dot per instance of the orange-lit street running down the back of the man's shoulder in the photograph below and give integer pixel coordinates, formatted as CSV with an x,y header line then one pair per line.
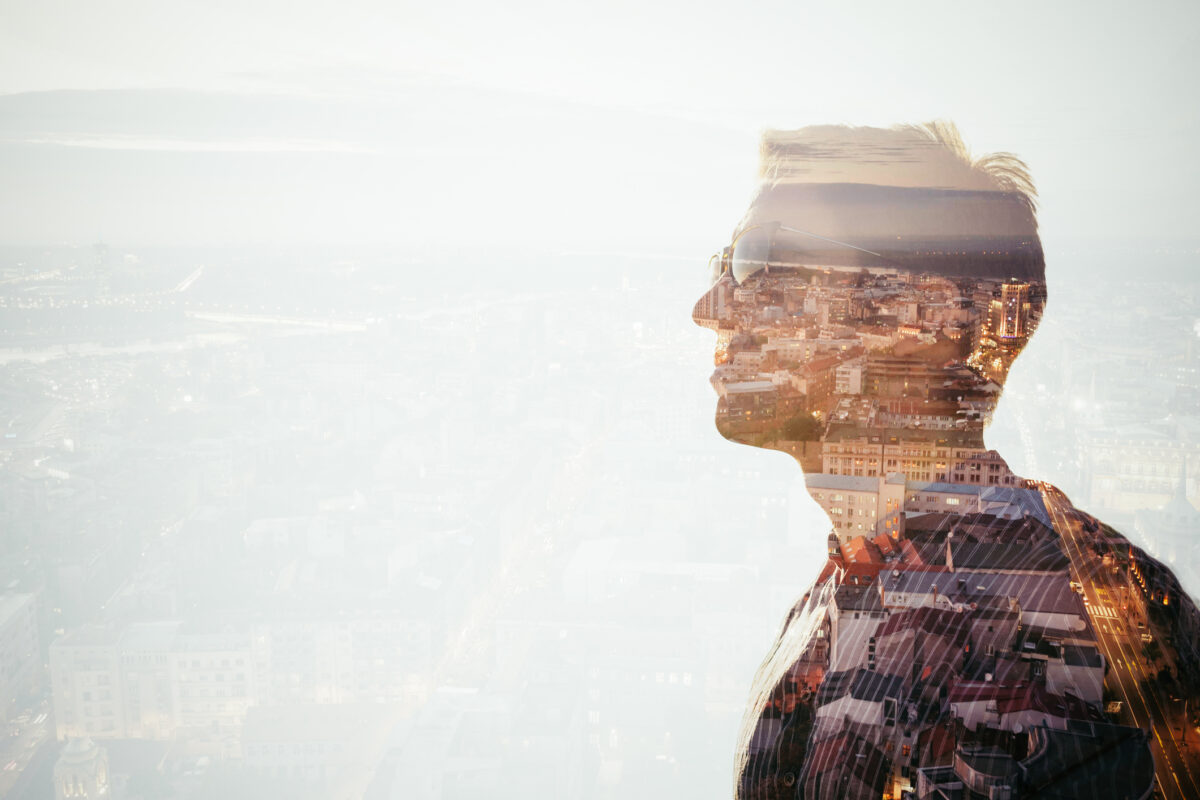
x,y
1119,640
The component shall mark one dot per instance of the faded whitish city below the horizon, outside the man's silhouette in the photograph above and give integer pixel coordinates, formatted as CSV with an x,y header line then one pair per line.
x,y
235,530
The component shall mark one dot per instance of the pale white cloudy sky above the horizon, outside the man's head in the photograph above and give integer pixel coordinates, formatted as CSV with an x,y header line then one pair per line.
x,y
572,125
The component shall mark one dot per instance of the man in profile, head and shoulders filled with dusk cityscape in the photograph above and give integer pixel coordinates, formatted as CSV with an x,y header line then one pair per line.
x,y
974,635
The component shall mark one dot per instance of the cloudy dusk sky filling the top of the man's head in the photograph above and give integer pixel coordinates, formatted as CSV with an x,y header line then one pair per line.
x,y
914,196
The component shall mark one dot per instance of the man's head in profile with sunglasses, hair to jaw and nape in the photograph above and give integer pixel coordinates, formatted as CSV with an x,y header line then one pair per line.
x,y
881,281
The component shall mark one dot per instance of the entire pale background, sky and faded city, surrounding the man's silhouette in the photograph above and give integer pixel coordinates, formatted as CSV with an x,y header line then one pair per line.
x,y
357,432
